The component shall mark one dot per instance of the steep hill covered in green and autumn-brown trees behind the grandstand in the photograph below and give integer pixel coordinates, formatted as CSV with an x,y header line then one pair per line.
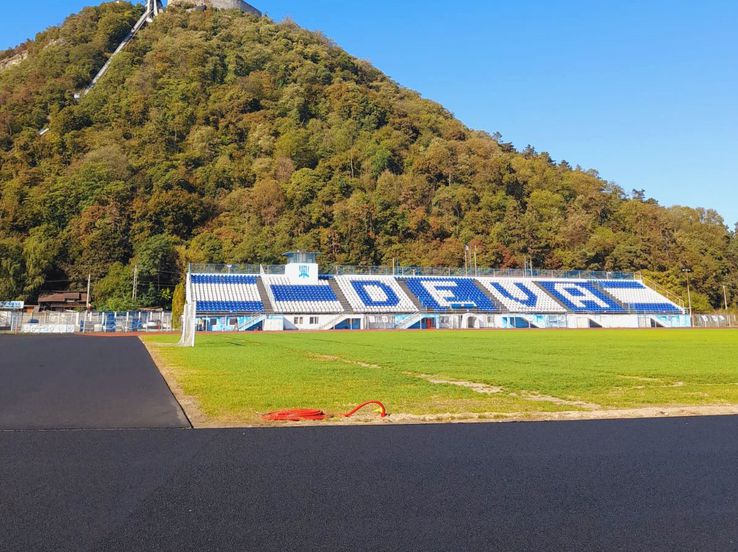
x,y
218,136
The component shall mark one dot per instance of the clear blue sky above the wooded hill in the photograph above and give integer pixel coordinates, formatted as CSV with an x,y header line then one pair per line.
x,y
643,91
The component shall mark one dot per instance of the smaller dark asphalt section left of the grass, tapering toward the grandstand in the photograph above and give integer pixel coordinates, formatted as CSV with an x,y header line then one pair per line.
x,y
61,382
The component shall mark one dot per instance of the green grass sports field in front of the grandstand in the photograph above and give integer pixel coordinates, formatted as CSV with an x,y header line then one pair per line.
x,y
436,375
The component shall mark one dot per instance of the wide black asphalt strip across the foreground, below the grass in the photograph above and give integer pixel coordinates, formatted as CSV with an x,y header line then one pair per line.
x,y
640,485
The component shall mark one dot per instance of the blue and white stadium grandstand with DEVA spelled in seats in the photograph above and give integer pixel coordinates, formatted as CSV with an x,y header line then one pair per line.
x,y
297,296
